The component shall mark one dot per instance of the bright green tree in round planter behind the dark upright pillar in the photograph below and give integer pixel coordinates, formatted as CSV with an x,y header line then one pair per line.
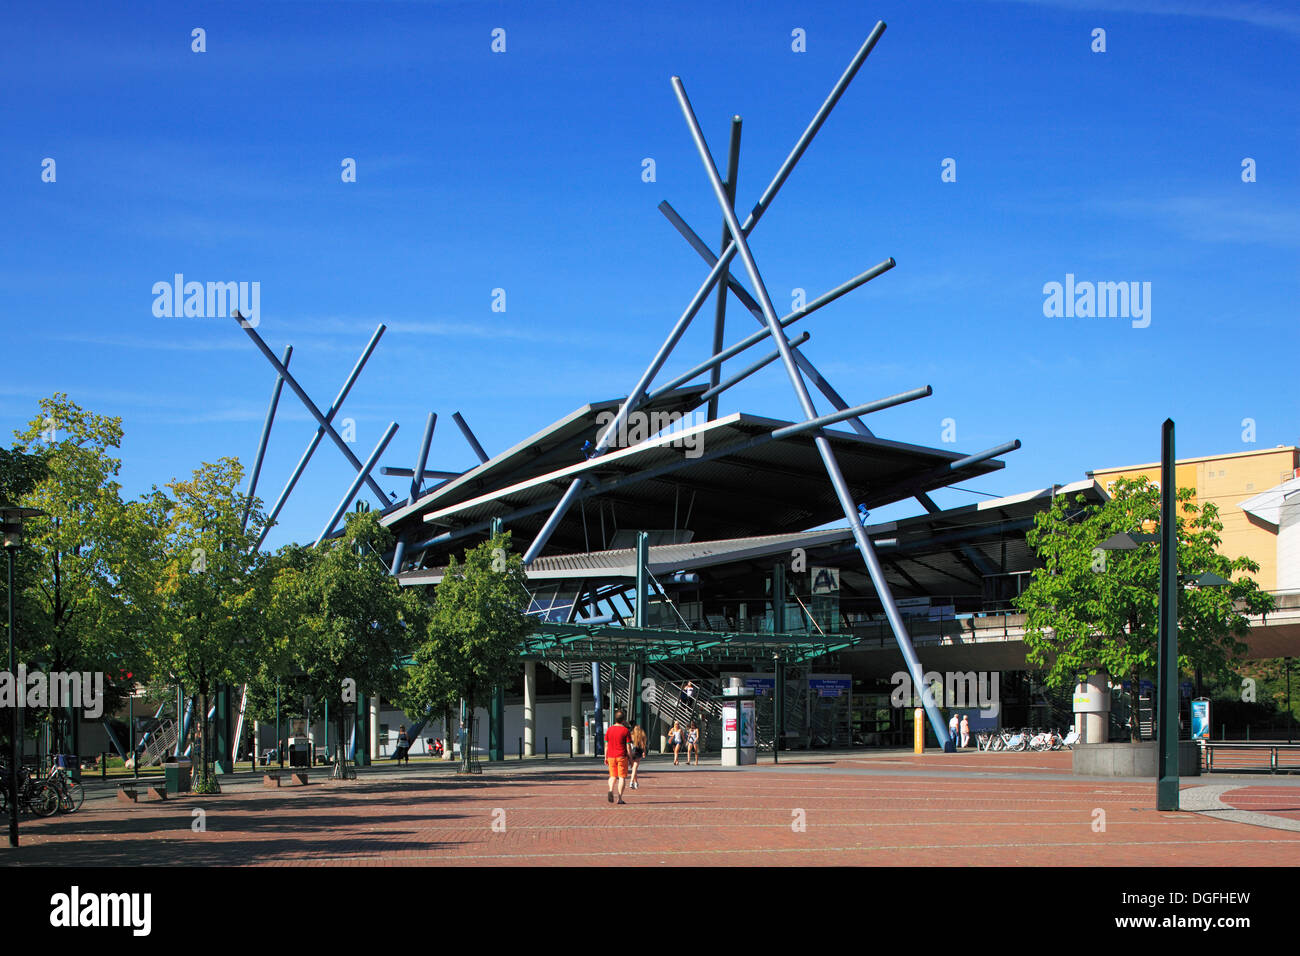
x,y
1089,611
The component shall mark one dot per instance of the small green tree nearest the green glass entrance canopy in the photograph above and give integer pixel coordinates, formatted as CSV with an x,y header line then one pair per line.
x,y
475,631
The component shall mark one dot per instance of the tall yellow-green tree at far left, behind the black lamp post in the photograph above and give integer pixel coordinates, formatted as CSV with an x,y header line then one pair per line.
x,y
85,596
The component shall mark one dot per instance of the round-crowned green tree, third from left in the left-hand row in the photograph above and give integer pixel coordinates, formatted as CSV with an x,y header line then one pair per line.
x,y
348,622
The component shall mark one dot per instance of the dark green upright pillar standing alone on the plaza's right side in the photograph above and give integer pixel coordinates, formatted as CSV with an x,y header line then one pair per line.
x,y
1167,730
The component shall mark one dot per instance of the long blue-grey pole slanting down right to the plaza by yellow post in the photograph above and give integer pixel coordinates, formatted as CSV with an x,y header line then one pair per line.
x,y
824,445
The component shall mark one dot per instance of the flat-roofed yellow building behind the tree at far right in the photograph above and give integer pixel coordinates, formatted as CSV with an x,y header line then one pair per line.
x,y
1229,481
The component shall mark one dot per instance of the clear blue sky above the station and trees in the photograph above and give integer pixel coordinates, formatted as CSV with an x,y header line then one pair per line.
x,y
523,171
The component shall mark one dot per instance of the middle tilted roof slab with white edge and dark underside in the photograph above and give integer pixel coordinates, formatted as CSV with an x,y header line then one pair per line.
x,y
720,479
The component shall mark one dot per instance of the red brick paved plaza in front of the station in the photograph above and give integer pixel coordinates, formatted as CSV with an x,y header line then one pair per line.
x,y
859,810
